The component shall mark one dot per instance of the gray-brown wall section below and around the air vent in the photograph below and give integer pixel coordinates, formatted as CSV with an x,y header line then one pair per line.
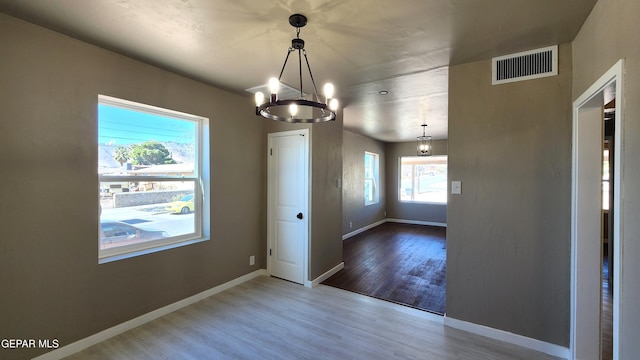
x,y
508,234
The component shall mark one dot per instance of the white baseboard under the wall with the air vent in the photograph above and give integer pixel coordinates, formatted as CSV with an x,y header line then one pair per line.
x,y
501,335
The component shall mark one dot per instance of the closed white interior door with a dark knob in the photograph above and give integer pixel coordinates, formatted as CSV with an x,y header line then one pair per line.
x,y
288,204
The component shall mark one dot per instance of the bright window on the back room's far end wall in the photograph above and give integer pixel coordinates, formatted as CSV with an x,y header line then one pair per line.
x,y
423,179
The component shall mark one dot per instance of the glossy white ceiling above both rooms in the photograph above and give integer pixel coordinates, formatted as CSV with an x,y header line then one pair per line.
x,y
363,47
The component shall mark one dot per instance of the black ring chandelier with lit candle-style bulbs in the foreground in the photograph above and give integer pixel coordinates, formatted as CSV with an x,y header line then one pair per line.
x,y
298,110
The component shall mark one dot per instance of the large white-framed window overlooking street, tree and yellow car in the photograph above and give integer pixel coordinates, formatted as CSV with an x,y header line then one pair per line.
x,y
153,179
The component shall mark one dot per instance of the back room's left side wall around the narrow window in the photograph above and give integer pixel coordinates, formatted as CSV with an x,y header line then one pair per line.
x,y
354,210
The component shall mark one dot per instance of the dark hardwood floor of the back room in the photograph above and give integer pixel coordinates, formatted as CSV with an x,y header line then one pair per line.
x,y
401,263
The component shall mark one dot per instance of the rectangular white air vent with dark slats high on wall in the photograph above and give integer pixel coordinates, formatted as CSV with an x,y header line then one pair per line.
x,y
526,65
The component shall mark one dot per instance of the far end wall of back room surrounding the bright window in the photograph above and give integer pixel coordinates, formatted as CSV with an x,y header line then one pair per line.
x,y
430,213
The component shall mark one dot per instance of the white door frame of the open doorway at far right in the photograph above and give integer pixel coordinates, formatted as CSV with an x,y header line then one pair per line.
x,y
614,74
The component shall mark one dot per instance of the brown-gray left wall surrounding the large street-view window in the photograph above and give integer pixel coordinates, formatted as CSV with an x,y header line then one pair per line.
x,y
52,284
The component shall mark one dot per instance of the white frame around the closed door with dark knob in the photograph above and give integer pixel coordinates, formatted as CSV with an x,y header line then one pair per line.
x,y
306,208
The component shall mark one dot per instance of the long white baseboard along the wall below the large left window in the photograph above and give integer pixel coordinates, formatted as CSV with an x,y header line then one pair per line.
x,y
82,344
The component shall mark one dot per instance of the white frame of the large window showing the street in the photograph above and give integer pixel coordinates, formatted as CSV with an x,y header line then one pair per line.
x,y
201,180
